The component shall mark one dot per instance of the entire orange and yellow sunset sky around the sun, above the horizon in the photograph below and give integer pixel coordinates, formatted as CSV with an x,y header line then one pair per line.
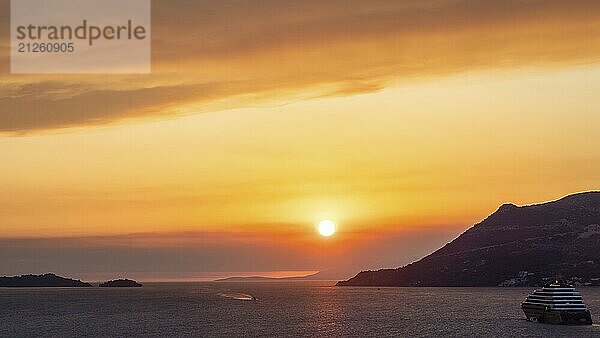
x,y
403,122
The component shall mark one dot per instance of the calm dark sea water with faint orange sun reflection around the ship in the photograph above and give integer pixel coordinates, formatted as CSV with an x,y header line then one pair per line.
x,y
281,309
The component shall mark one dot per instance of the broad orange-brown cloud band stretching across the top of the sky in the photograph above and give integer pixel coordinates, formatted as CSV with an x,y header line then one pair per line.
x,y
213,55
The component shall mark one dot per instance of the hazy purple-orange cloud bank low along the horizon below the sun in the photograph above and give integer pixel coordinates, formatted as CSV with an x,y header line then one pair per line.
x,y
190,255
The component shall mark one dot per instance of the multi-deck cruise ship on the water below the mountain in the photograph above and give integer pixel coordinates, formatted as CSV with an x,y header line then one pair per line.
x,y
557,303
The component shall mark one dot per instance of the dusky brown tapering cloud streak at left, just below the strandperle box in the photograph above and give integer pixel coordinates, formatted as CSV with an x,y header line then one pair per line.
x,y
52,104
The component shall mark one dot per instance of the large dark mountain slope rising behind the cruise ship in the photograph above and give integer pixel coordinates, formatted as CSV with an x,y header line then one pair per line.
x,y
515,246
